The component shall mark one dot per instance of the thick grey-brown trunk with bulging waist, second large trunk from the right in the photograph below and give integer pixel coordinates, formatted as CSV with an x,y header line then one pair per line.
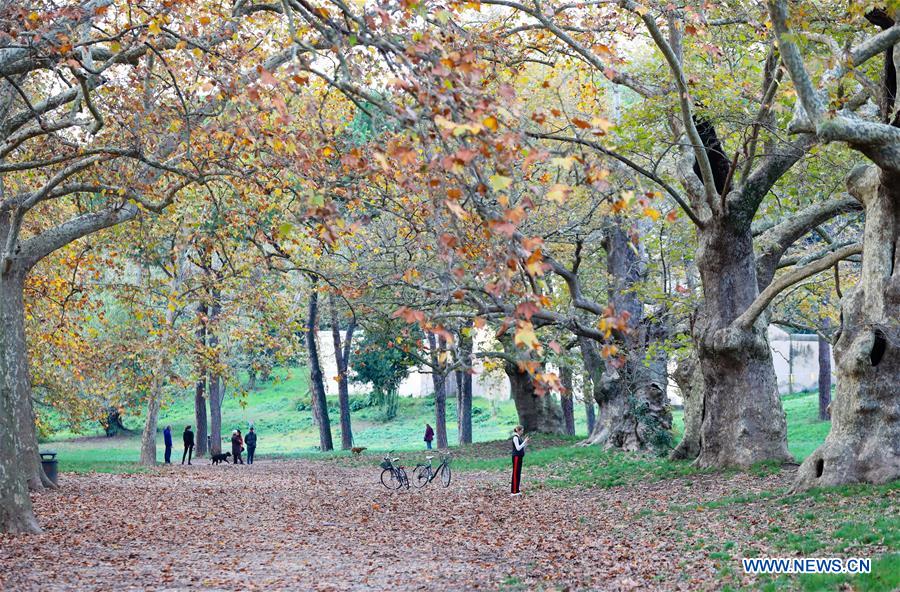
x,y
743,422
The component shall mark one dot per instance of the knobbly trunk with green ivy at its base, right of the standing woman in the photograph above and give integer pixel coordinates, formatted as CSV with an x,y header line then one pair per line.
x,y
630,392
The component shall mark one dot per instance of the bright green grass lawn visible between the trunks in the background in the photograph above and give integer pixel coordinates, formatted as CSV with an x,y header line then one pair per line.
x,y
280,411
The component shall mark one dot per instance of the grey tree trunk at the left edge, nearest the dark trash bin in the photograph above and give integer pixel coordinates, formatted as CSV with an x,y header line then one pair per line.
x,y
16,513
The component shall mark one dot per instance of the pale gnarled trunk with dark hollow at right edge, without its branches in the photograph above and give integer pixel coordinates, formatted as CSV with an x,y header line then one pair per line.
x,y
863,445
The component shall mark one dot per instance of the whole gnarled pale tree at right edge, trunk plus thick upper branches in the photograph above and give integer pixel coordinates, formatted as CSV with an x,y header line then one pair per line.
x,y
864,442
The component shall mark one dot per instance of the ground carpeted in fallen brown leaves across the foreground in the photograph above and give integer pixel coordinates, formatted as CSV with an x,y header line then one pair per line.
x,y
311,525
